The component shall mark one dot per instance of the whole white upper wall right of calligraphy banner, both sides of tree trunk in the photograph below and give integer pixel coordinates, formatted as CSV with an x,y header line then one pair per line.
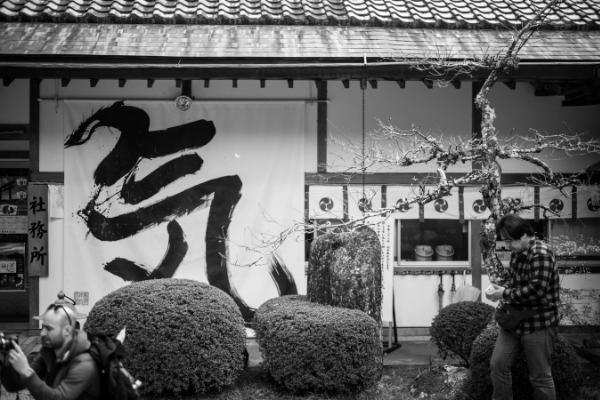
x,y
446,112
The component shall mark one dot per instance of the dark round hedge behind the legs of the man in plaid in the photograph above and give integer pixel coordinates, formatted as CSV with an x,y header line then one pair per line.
x,y
566,369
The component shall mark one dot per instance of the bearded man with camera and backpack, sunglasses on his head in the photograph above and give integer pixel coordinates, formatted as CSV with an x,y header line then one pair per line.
x,y
63,369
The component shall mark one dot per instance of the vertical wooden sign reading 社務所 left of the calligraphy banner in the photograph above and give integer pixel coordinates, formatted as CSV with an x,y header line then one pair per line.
x,y
37,230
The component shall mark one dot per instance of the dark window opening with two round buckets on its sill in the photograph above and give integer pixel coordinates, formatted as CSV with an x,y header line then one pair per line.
x,y
433,240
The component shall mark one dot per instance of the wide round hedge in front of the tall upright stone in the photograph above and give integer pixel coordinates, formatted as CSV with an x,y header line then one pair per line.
x,y
309,347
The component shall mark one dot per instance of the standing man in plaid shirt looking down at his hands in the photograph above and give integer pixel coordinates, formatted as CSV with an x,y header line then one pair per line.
x,y
533,285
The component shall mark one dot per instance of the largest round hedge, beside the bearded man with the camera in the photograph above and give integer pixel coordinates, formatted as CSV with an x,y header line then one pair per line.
x,y
183,336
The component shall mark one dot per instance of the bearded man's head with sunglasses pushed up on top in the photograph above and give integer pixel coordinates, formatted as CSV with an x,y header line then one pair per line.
x,y
58,326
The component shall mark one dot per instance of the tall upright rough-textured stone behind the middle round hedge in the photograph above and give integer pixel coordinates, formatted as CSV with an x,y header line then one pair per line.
x,y
344,270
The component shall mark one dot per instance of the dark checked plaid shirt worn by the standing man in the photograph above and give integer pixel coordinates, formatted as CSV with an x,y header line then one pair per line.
x,y
534,284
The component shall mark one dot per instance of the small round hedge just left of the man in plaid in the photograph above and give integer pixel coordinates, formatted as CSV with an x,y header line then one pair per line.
x,y
457,325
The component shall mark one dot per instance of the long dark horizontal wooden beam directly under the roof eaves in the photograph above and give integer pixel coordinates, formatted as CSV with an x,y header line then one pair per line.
x,y
52,67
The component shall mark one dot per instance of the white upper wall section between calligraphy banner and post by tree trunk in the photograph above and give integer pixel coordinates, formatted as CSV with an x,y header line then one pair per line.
x,y
440,111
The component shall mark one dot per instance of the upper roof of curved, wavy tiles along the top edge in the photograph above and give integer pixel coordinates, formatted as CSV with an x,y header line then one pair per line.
x,y
405,13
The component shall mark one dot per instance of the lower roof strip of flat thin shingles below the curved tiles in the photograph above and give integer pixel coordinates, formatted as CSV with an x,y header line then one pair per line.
x,y
208,42
